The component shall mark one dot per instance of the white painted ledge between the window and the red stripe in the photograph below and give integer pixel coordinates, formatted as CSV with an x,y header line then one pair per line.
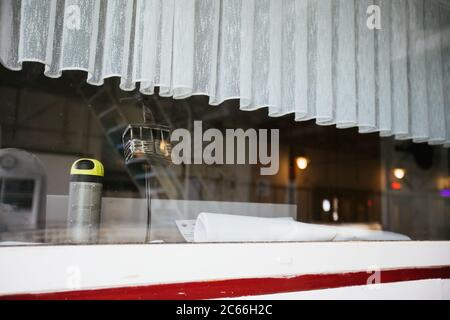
x,y
58,268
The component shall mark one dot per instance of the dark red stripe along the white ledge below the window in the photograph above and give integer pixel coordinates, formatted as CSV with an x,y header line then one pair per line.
x,y
240,287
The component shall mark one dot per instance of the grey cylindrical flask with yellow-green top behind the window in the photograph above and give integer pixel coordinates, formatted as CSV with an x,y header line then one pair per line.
x,y
85,200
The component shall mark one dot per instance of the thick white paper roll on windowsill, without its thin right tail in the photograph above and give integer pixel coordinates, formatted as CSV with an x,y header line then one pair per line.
x,y
213,227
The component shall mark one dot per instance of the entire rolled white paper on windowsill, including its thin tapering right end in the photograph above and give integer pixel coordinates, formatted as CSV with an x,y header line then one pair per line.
x,y
214,227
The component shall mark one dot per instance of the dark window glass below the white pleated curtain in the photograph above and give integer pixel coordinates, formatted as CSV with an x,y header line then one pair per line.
x,y
314,174
